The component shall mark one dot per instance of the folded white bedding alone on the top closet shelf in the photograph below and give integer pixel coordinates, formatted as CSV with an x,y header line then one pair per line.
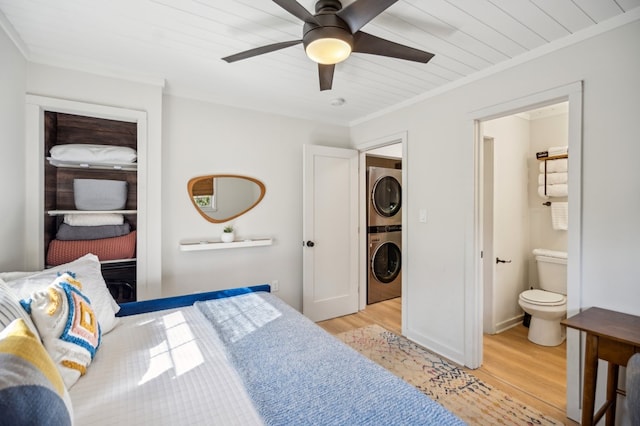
x,y
90,153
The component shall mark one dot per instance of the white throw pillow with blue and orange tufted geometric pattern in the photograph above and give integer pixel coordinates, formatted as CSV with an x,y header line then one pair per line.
x,y
67,324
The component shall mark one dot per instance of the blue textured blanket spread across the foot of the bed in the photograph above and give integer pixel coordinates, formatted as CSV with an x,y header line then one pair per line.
x,y
297,374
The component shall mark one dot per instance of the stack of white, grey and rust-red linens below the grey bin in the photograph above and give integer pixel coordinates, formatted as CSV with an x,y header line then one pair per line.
x,y
107,235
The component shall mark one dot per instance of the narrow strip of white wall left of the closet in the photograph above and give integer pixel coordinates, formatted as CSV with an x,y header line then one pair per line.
x,y
12,170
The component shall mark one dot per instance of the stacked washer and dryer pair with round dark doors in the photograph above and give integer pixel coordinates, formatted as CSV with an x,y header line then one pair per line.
x,y
384,233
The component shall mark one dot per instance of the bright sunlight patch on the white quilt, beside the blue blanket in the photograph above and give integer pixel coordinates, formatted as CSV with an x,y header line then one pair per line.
x,y
178,353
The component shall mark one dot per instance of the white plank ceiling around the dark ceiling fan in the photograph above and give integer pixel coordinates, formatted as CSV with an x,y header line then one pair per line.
x,y
180,43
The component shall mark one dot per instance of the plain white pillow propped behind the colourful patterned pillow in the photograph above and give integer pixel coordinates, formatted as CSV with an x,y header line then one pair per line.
x,y
87,271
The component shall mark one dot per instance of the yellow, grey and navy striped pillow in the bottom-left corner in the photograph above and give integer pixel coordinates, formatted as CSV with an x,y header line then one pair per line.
x,y
31,388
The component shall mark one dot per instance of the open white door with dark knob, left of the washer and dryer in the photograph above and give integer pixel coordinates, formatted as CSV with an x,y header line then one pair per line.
x,y
330,232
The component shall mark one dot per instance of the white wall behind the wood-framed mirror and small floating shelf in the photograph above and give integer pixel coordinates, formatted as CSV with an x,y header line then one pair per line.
x,y
202,139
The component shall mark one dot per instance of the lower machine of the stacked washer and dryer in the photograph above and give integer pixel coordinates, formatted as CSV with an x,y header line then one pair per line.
x,y
385,262
